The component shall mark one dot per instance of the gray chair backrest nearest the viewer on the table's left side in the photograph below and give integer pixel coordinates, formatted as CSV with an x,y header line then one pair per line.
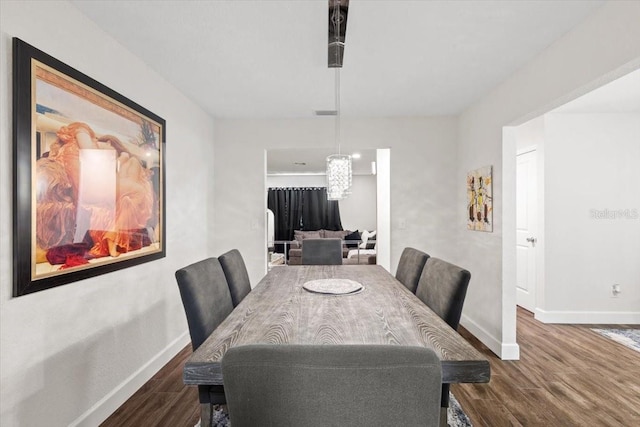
x,y
205,296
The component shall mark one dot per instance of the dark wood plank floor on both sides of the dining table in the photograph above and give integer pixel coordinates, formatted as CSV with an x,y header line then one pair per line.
x,y
567,375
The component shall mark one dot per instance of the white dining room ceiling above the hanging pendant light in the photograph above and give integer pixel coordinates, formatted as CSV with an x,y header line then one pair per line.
x,y
268,59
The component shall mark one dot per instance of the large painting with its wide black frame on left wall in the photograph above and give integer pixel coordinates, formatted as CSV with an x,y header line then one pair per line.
x,y
88,176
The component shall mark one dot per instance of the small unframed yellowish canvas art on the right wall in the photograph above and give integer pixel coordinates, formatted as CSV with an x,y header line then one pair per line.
x,y
480,199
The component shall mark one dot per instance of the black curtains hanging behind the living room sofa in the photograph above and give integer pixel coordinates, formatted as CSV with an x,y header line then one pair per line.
x,y
302,209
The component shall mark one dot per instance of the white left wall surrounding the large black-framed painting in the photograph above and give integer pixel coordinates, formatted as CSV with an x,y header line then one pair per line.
x,y
72,354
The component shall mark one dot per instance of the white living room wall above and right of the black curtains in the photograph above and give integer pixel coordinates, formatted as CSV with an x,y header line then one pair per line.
x,y
357,212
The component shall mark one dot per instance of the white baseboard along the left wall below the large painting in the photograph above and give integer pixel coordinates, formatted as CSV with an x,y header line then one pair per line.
x,y
114,399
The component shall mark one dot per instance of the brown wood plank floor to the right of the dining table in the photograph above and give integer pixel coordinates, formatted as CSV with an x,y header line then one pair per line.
x,y
567,376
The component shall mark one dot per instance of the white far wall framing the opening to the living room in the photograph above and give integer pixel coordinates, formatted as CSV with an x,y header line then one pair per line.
x,y
423,189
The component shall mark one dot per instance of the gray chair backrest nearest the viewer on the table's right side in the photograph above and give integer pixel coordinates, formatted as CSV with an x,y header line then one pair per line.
x,y
443,287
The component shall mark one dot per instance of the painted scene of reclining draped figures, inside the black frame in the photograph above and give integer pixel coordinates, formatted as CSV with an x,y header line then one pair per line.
x,y
96,193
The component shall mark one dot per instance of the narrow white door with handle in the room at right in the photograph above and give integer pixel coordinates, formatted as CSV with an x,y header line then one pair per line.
x,y
526,205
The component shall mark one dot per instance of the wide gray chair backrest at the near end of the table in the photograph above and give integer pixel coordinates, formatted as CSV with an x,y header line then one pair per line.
x,y
319,385
